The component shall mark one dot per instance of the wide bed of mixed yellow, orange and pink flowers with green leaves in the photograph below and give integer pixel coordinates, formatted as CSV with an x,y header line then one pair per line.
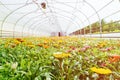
x,y
59,58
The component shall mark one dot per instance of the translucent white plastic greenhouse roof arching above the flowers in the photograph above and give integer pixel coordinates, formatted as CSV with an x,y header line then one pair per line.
x,y
29,16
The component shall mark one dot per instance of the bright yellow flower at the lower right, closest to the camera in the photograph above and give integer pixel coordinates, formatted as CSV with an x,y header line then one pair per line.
x,y
101,70
